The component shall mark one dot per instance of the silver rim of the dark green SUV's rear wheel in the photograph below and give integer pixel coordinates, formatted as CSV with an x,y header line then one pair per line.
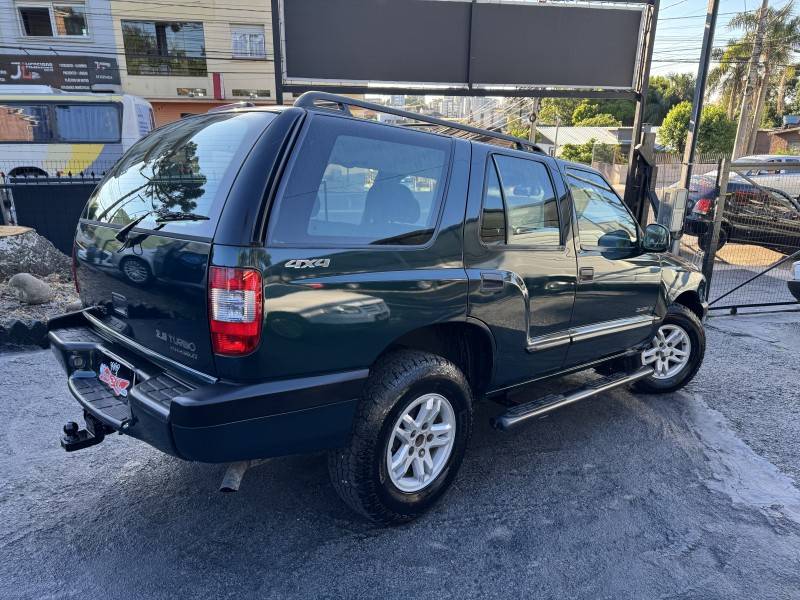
x,y
421,443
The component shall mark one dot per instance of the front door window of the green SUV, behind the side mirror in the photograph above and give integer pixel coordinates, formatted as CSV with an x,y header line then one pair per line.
x,y
603,219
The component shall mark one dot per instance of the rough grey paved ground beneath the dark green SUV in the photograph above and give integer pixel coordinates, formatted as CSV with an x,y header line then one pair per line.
x,y
626,496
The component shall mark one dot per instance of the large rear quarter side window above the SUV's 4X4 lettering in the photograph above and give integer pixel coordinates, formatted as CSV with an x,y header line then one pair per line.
x,y
358,183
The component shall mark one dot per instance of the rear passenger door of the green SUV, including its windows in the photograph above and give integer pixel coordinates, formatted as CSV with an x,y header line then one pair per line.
x,y
520,261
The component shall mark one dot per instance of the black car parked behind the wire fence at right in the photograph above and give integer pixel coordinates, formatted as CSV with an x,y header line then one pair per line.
x,y
753,215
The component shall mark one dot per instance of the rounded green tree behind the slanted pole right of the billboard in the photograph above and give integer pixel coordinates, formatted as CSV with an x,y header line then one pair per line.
x,y
717,130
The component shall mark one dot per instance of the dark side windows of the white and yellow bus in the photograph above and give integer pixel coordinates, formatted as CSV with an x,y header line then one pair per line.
x,y
49,123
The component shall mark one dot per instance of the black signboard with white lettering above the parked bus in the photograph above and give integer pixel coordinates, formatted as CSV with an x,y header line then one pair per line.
x,y
68,73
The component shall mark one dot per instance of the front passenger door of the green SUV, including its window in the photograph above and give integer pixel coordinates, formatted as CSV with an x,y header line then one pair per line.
x,y
618,284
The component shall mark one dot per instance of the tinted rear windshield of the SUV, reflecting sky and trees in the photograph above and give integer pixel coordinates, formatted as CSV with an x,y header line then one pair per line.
x,y
187,166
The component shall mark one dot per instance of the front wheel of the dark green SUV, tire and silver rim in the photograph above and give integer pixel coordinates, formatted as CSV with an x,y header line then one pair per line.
x,y
675,352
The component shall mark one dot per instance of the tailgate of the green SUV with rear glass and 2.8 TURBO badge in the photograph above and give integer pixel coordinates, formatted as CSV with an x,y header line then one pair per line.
x,y
151,287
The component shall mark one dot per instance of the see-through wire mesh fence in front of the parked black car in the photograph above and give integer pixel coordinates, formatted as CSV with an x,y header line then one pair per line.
x,y
757,207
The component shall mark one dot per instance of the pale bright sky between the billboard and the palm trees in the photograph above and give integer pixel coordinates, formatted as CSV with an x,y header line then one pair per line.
x,y
679,34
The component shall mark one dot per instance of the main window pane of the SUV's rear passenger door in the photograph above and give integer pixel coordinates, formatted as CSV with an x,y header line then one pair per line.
x,y
530,200
